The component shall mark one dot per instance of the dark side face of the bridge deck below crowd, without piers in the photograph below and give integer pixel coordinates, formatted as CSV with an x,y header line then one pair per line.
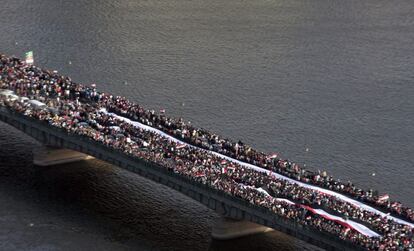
x,y
224,204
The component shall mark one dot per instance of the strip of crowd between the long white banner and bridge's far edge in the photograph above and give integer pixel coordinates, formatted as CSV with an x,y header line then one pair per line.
x,y
240,151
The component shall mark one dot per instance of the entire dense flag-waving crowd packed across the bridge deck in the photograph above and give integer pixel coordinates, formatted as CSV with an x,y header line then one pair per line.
x,y
82,110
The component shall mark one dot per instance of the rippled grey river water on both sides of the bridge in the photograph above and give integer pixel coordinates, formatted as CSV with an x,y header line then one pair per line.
x,y
329,84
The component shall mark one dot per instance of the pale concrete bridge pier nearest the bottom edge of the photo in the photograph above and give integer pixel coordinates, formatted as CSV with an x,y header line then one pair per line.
x,y
227,228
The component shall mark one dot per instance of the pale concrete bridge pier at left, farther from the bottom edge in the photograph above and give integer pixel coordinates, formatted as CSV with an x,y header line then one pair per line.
x,y
49,156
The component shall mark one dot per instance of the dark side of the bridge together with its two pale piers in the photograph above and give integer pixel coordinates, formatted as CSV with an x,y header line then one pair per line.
x,y
239,216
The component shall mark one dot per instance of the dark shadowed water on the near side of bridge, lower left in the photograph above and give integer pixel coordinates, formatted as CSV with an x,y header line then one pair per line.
x,y
115,209
